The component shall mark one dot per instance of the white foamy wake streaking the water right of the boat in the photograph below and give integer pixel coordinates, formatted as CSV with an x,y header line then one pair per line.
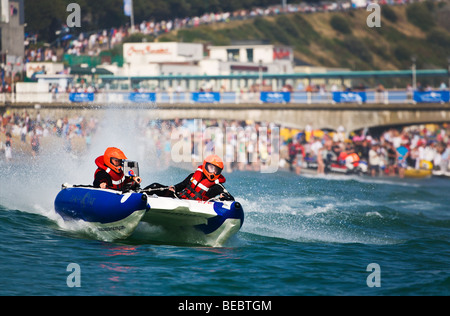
x,y
313,219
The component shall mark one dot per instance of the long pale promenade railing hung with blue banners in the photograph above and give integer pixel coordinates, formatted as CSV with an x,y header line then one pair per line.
x,y
297,97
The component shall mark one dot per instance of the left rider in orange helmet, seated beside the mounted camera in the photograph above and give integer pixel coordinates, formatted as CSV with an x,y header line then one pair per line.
x,y
110,175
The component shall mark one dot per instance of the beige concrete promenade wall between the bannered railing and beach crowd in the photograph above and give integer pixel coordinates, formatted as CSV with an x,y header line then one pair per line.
x,y
352,116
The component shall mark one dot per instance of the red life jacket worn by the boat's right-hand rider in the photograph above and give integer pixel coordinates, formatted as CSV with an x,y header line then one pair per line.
x,y
199,186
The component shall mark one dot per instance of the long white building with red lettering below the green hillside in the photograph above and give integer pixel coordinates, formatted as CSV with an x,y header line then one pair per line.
x,y
183,58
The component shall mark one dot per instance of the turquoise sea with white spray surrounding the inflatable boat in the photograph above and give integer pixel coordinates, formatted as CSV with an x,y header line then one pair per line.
x,y
302,235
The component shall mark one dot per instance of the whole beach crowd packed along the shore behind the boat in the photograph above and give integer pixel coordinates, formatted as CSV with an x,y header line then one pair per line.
x,y
244,145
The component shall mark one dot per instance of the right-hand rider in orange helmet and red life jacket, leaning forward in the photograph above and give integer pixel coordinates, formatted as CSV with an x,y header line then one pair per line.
x,y
205,183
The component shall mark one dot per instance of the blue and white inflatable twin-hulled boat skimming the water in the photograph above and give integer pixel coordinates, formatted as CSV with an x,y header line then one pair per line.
x,y
115,215
